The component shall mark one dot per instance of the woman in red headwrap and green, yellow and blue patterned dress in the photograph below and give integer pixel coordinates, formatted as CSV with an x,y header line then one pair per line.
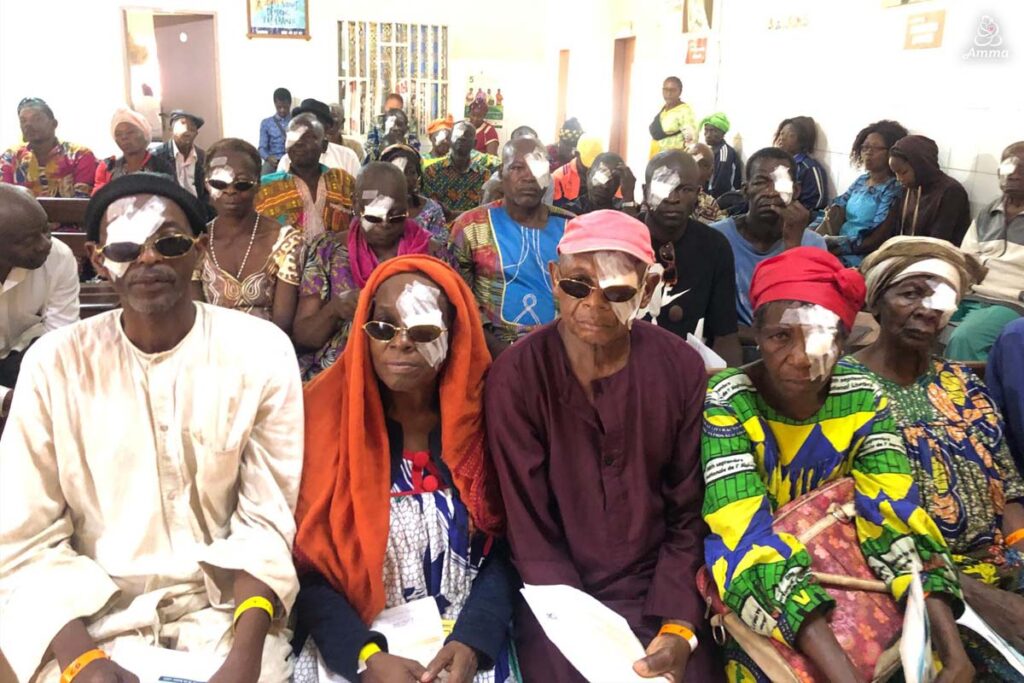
x,y
789,425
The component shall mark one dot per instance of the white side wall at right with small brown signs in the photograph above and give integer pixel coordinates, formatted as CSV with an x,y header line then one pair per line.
x,y
846,69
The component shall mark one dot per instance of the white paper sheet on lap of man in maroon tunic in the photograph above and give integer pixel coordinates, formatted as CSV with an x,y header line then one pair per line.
x,y
595,639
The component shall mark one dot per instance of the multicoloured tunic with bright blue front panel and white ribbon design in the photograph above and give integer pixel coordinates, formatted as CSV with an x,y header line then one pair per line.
x,y
506,266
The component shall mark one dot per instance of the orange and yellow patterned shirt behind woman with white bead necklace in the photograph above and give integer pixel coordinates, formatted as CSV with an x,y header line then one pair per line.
x,y
281,198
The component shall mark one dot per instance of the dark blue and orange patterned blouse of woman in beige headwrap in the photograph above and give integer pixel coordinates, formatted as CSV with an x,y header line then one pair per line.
x,y
958,452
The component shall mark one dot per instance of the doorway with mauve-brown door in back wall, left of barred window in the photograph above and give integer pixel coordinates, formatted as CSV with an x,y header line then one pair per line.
x,y
173,65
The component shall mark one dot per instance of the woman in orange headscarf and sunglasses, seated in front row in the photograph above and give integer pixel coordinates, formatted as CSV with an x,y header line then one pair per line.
x,y
399,502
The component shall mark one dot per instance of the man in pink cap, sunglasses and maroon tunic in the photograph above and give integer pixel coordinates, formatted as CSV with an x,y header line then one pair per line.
x,y
594,426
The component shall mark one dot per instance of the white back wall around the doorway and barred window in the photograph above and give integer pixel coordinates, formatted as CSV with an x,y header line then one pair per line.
x,y
87,82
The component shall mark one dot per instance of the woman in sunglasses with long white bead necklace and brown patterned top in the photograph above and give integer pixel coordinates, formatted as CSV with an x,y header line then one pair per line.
x,y
253,264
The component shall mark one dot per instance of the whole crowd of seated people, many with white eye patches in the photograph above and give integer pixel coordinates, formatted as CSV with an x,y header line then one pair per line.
x,y
550,377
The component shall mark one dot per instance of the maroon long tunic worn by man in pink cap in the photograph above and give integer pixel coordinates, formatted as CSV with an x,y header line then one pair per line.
x,y
604,497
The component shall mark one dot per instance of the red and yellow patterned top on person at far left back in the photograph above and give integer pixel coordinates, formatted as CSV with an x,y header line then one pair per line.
x,y
70,170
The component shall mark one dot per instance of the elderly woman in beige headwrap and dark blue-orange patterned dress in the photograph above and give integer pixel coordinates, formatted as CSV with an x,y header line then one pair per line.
x,y
955,436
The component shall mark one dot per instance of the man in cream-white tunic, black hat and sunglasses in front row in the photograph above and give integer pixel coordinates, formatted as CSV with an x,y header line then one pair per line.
x,y
151,468
